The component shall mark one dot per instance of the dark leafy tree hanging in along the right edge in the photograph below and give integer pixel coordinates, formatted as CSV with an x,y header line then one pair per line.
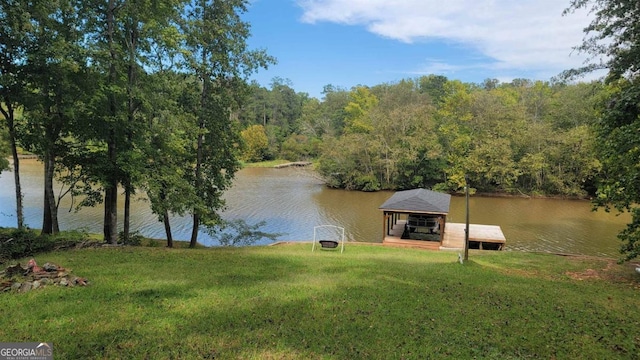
x,y
614,35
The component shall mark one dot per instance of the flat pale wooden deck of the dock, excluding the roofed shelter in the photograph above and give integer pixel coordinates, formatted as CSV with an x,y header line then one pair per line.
x,y
483,237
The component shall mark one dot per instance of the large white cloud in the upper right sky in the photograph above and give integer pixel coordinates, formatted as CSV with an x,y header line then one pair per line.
x,y
525,35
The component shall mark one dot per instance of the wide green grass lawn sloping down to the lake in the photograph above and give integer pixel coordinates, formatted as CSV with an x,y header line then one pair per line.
x,y
372,302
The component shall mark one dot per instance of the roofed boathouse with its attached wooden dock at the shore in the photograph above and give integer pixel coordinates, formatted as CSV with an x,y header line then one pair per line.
x,y
417,218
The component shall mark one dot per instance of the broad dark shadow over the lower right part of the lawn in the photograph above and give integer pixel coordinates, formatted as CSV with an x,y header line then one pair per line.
x,y
439,311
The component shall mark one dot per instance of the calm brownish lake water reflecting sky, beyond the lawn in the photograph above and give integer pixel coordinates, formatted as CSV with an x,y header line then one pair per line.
x,y
293,200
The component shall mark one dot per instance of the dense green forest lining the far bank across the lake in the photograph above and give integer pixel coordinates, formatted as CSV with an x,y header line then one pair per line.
x,y
522,137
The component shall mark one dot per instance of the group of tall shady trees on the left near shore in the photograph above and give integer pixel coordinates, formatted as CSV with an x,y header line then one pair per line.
x,y
127,95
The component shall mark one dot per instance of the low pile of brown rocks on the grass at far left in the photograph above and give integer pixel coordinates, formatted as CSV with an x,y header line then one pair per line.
x,y
31,277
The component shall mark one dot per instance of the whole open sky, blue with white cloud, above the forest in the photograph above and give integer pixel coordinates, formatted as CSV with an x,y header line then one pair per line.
x,y
367,42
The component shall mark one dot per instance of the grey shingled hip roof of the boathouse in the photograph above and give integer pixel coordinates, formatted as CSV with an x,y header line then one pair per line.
x,y
418,200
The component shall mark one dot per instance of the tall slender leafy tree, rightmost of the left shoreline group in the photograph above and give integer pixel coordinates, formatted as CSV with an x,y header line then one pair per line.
x,y
216,52
